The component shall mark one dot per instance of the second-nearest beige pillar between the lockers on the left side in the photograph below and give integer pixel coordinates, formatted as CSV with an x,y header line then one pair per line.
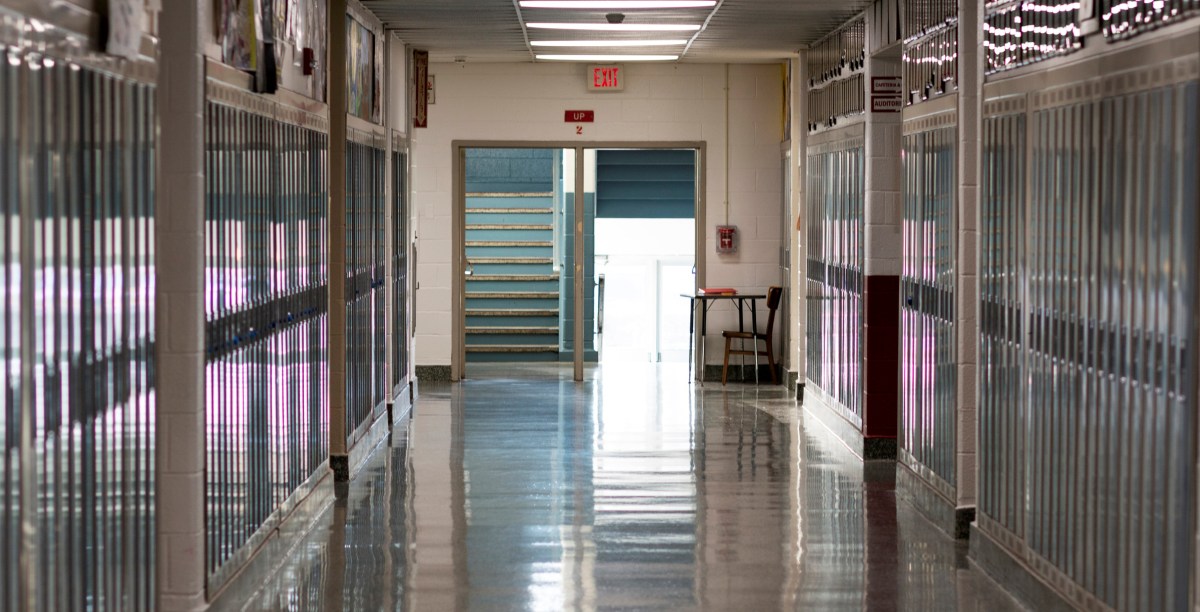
x,y
339,459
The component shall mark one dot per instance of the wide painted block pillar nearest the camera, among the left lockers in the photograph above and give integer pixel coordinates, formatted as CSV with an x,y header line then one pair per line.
x,y
181,305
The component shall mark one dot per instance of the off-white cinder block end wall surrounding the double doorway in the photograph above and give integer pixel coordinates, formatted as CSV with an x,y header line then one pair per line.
x,y
525,103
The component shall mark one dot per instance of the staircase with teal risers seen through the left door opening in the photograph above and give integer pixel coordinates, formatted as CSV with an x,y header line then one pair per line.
x,y
513,290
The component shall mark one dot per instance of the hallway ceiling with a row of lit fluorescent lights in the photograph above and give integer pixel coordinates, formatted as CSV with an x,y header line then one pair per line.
x,y
494,31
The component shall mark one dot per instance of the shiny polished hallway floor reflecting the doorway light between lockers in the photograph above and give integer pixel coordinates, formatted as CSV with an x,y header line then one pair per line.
x,y
635,490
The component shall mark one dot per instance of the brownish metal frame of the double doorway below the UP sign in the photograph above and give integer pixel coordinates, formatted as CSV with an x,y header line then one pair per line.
x,y
459,230
